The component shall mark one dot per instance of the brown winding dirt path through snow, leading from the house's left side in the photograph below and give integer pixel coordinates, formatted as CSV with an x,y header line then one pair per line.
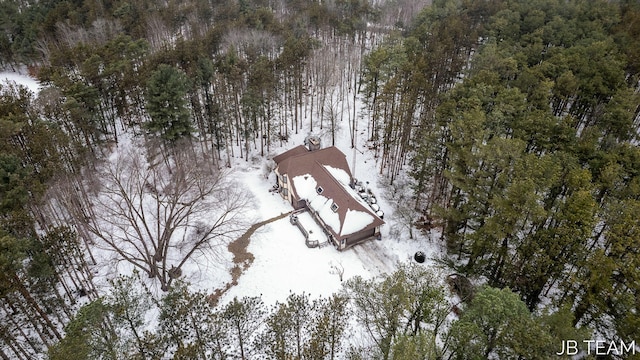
x,y
242,258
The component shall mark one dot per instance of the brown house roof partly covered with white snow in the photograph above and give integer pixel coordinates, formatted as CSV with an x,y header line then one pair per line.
x,y
322,178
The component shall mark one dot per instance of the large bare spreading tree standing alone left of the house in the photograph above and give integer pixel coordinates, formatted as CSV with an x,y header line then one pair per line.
x,y
157,216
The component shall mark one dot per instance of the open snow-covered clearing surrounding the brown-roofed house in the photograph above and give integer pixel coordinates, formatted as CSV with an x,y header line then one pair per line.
x,y
284,264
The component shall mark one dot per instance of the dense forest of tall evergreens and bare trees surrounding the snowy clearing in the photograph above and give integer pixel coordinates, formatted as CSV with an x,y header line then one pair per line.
x,y
515,121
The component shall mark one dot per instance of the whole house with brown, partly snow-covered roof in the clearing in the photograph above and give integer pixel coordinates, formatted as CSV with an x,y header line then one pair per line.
x,y
321,183
